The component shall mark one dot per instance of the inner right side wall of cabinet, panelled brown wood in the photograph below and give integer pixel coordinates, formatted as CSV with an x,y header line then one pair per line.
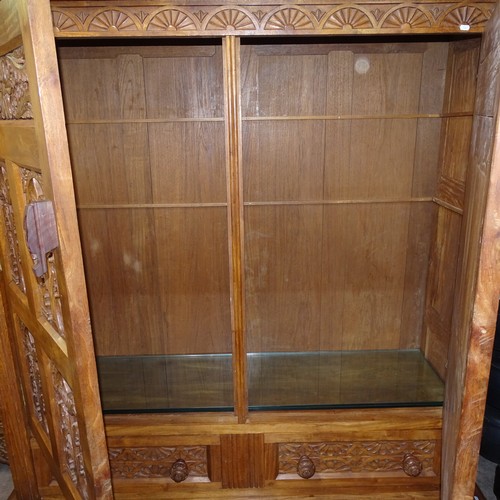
x,y
463,58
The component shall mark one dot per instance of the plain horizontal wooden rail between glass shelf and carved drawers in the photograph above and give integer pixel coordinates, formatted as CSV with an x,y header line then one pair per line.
x,y
346,422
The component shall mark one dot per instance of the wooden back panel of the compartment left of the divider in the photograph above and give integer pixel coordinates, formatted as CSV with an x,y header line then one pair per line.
x,y
147,142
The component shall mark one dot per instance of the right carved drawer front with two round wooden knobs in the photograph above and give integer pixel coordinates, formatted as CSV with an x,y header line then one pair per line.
x,y
337,459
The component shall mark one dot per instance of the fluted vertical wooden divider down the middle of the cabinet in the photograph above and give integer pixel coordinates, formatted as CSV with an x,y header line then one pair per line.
x,y
232,116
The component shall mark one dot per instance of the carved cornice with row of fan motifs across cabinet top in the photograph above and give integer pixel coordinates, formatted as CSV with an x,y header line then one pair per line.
x,y
261,19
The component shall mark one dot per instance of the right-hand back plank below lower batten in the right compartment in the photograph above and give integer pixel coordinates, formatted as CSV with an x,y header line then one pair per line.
x,y
363,275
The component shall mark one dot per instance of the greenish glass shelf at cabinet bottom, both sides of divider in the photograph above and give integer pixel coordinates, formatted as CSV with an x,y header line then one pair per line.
x,y
277,381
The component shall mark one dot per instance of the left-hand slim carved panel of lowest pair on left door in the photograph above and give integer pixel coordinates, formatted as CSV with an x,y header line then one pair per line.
x,y
34,375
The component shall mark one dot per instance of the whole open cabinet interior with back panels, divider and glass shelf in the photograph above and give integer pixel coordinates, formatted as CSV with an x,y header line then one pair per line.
x,y
296,228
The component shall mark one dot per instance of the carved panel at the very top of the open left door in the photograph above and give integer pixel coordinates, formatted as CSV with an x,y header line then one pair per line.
x,y
15,103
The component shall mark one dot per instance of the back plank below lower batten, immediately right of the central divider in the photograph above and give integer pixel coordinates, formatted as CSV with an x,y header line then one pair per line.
x,y
283,277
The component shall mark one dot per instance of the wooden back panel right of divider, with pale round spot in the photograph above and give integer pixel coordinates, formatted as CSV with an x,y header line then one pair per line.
x,y
340,151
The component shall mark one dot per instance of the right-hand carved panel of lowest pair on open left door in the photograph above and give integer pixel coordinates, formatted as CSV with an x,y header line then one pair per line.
x,y
71,455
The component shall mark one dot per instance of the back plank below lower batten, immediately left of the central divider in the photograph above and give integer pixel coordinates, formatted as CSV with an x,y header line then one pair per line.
x,y
194,281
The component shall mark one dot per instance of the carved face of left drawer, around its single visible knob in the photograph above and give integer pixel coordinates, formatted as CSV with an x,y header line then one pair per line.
x,y
156,462
